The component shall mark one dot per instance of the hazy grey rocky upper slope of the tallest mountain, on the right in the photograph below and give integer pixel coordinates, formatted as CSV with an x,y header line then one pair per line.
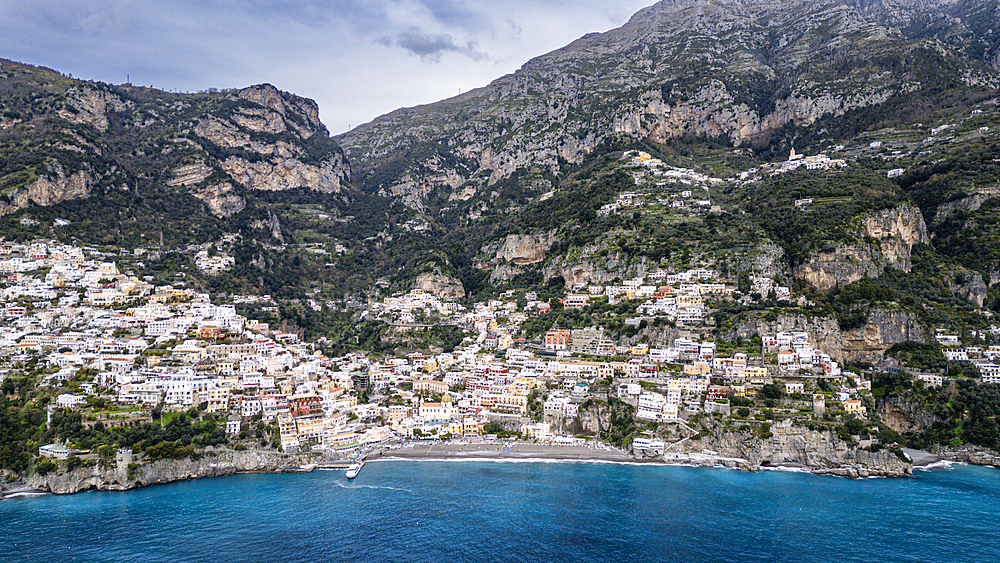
x,y
735,70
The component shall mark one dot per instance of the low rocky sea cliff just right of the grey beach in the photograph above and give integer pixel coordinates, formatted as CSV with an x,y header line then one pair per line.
x,y
791,447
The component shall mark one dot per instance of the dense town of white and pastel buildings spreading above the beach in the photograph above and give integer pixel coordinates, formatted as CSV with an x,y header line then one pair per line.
x,y
113,346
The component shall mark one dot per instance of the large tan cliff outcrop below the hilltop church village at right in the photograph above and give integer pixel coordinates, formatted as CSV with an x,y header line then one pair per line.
x,y
893,233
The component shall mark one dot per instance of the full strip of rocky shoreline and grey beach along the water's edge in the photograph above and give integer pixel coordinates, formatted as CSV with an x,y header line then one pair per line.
x,y
825,455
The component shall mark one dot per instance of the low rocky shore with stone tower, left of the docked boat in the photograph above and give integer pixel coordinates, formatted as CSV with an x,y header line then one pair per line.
x,y
210,463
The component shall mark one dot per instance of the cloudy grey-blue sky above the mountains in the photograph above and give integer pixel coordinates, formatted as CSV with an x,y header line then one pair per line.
x,y
358,58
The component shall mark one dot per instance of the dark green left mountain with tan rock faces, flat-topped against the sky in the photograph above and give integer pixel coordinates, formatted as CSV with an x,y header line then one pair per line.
x,y
150,157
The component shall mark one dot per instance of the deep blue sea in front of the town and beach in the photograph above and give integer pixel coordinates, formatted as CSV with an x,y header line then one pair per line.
x,y
483,511
